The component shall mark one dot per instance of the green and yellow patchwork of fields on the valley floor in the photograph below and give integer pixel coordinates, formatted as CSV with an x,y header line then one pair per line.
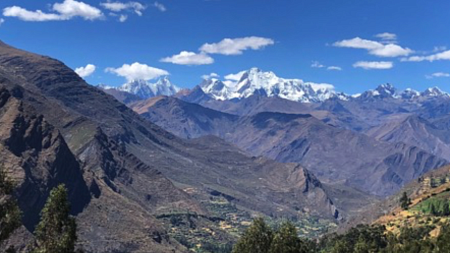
x,y
217,232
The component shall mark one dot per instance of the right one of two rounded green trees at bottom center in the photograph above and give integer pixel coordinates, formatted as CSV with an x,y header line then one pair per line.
x,y
286,240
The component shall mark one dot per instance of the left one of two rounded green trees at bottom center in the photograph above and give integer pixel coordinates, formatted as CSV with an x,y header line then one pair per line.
x,y
256,239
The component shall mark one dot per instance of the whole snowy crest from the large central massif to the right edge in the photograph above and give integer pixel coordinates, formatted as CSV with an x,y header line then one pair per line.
x,y
255,81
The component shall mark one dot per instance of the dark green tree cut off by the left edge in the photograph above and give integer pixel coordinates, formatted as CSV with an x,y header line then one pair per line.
x,y
10,214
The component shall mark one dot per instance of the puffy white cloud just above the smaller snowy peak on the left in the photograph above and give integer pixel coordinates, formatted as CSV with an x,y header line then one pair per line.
x,y
137,71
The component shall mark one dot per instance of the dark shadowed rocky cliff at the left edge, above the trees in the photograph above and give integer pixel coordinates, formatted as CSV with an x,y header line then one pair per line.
x,y
36,153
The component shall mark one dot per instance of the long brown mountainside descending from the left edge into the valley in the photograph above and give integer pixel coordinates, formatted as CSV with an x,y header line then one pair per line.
x,y
126,175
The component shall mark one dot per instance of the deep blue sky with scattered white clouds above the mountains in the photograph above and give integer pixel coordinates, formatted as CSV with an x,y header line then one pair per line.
x,y
293,38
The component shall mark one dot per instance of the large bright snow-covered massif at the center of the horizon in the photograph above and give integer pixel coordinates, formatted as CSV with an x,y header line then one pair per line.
x,y
256,81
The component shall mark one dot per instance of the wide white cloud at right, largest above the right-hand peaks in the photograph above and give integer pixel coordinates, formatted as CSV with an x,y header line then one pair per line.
x,y
374,47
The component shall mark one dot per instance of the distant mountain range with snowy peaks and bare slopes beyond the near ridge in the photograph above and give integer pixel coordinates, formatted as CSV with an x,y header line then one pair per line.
x,y
294,121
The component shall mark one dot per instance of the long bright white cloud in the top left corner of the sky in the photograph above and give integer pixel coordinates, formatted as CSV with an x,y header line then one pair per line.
x,y
64,11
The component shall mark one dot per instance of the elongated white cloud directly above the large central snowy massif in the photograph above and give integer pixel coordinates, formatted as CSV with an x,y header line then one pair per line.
x,y
236,46
